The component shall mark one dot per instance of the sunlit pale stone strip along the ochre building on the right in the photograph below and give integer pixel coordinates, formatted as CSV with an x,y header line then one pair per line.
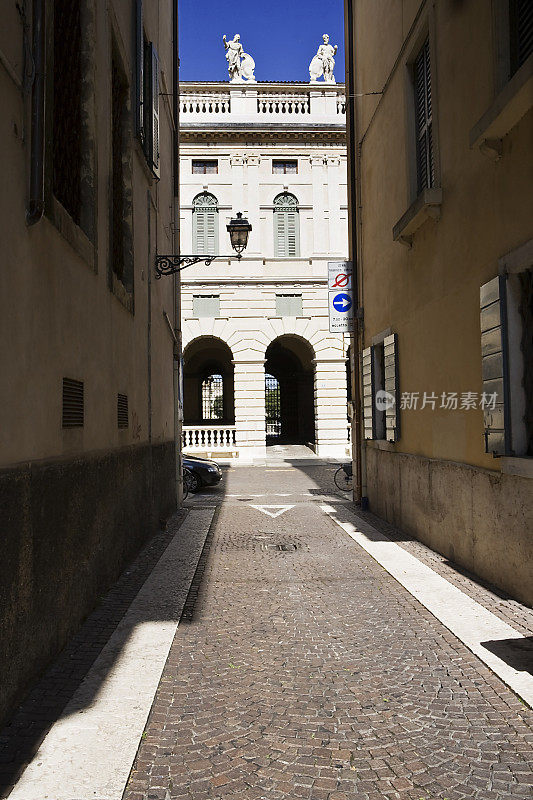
x,y
464,617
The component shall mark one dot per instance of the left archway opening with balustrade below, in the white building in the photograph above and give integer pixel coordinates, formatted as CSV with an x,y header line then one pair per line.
x,y
208,391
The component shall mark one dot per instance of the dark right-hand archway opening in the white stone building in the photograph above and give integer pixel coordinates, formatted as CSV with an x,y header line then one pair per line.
x,y
289,392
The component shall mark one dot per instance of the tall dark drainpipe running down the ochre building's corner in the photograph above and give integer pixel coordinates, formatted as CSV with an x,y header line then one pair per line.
x,y
351,132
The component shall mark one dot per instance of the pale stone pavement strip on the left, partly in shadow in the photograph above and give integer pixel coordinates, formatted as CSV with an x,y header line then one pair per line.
x,y
89,752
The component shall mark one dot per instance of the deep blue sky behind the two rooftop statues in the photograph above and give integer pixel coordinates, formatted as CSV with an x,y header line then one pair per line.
x,y
281,35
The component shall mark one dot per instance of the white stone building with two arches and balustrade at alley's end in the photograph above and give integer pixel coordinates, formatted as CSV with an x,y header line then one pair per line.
x,y
260,365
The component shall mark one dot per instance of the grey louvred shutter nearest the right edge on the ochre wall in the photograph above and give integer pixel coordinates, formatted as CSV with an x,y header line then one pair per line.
x,y
494,365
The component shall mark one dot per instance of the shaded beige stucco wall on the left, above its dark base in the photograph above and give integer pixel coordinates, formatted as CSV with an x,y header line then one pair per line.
x,y
58,317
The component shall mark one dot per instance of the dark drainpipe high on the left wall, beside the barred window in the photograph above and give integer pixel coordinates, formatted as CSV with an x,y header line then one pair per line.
x,y
35,209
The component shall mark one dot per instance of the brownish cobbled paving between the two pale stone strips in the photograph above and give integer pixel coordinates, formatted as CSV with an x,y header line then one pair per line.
x,y
301,669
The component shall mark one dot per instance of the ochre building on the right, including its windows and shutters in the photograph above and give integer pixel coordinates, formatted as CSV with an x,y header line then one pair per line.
x,y
441,191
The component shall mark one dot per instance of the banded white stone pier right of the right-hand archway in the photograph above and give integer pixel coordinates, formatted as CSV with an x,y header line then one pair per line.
x,y
331,424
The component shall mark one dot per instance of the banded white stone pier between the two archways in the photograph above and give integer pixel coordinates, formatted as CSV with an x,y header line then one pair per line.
x,y
249,377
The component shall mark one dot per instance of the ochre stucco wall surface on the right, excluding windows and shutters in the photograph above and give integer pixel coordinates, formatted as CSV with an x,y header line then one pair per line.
x,y
436,482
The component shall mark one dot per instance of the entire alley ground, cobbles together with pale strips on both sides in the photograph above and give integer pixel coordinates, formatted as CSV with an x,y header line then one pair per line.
x,y
300,667
